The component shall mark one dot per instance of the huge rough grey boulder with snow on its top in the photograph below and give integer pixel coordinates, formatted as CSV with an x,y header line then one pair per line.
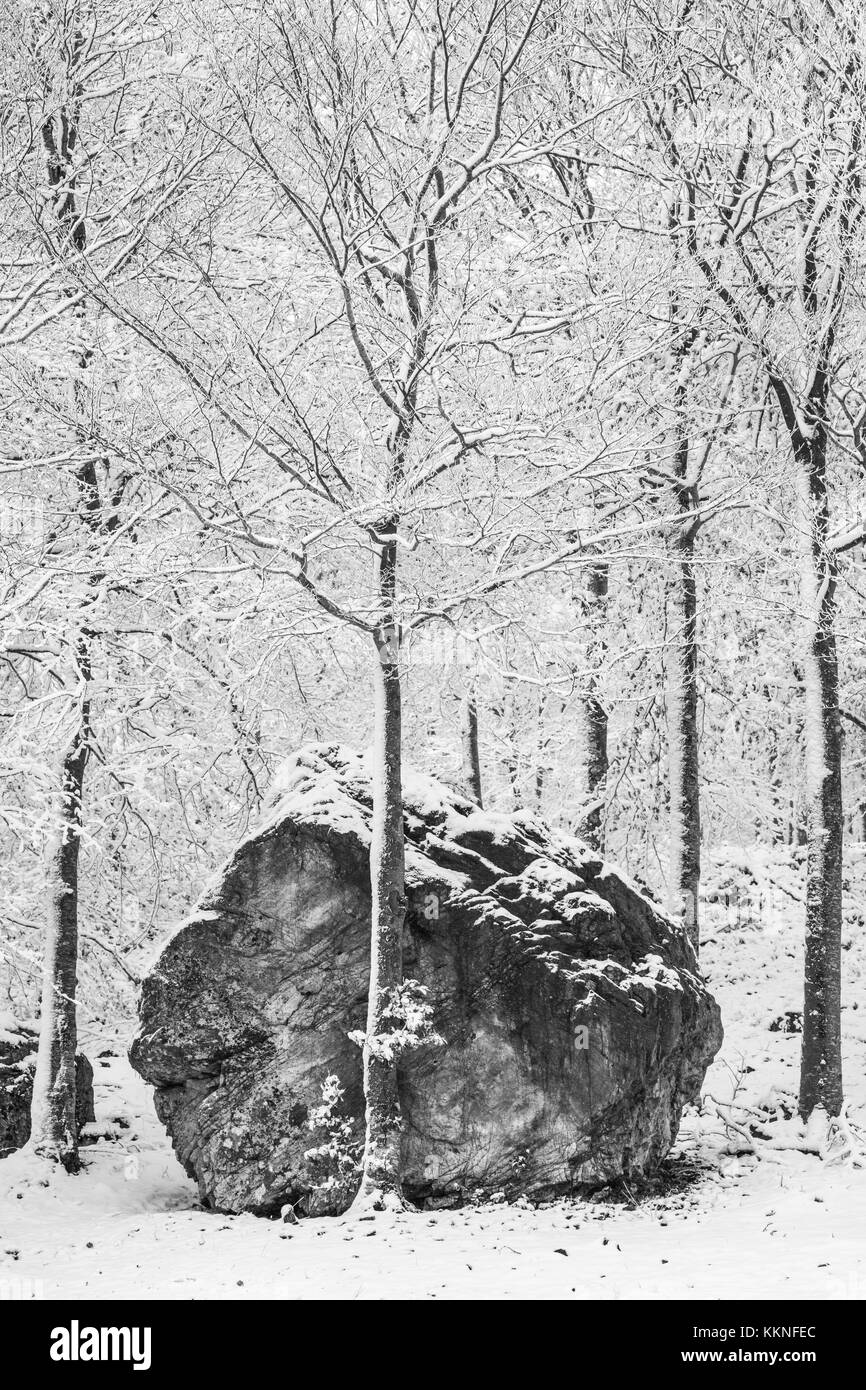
x,y
575,1020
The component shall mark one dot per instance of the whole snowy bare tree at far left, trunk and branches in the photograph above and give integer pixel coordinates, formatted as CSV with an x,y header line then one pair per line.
x,y
73,69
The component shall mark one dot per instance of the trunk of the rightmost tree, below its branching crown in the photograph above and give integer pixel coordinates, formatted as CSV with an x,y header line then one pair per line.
x,y
822,1049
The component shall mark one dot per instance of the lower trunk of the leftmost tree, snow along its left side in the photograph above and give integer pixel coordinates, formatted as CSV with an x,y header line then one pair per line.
x,y
54,1124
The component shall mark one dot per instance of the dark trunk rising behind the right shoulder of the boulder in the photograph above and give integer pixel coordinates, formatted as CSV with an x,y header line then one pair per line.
x,y
683,728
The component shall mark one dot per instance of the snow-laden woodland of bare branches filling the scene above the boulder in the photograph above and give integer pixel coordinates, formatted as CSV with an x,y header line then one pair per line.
x,y
523,340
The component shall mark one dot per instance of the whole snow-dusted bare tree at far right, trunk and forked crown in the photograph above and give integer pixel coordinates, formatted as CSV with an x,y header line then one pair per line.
x,y
778,266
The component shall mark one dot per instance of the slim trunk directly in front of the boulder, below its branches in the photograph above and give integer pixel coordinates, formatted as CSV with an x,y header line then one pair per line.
x,y
382,1167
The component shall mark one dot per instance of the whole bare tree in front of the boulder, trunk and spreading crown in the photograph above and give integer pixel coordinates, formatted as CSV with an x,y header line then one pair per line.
x,y
368,137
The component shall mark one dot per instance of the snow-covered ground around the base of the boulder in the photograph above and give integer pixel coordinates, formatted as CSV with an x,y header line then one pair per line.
x,y
739,1211
